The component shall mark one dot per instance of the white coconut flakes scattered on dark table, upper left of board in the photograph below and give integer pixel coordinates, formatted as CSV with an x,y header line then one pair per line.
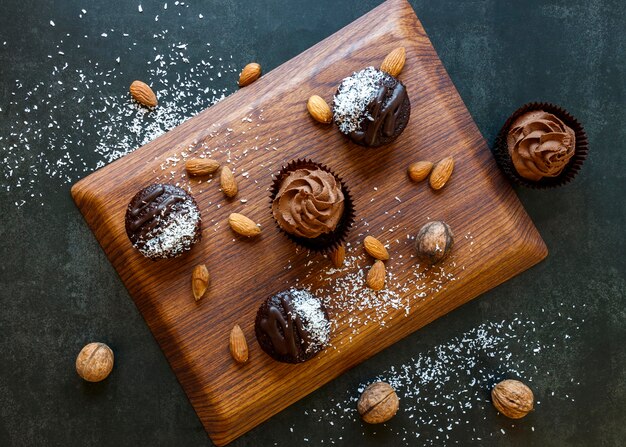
x,y
106,124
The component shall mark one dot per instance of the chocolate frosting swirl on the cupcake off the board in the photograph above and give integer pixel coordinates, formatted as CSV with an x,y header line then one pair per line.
x,y
540,145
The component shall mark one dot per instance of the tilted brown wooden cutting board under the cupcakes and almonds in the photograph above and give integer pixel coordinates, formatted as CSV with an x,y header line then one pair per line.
x,y
257,130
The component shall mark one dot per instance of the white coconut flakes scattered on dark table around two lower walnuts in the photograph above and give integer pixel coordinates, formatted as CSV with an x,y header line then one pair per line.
x,y
444,389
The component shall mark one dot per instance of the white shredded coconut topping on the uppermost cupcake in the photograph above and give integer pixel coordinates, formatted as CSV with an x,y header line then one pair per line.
x,y
353,96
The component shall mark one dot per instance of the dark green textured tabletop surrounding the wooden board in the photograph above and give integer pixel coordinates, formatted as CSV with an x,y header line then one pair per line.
x,y
58,291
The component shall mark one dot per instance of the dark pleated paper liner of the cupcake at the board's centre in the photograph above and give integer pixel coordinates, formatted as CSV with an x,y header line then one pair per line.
x,y
324,243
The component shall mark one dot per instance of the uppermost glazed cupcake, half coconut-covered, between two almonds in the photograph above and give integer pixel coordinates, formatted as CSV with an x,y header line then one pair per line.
x,y
371,107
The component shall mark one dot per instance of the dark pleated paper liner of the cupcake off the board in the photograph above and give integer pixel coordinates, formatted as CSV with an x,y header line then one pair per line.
x,y
501,151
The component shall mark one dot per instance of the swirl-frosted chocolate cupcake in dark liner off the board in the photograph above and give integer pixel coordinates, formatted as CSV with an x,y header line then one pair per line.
x,y
541,146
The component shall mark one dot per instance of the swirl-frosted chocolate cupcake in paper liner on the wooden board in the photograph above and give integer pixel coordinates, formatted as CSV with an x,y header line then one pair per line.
x,y
311,205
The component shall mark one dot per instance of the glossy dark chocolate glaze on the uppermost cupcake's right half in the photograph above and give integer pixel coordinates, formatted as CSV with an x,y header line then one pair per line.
x,y
385,109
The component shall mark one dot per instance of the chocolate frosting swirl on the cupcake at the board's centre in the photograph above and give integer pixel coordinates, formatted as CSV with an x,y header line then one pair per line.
x,y
309,203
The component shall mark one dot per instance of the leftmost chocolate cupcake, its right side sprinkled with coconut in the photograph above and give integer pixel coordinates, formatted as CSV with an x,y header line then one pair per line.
x,y
163,221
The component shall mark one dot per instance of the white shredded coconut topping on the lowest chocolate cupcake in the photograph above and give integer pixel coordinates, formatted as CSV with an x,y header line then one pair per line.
x,y
314,321
